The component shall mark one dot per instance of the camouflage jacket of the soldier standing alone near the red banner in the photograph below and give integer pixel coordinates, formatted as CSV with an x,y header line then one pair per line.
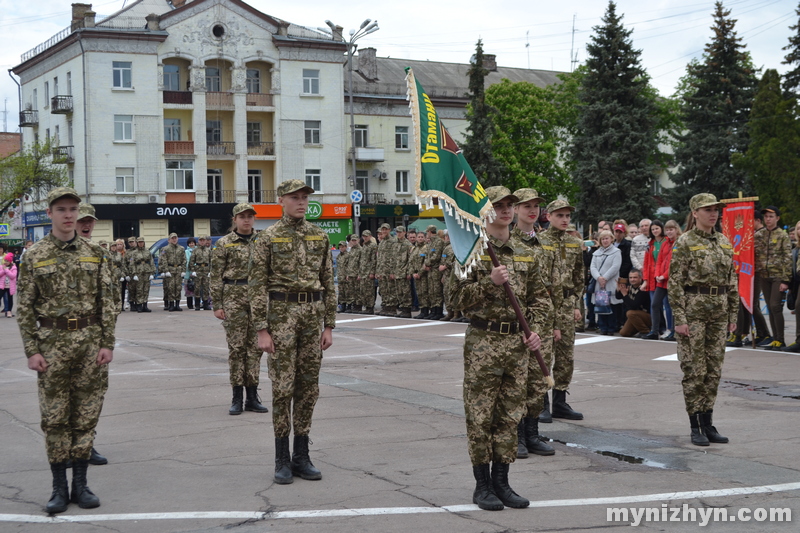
x,y
702,259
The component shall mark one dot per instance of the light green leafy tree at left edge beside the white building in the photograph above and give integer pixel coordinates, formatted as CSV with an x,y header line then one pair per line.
x,y
32,172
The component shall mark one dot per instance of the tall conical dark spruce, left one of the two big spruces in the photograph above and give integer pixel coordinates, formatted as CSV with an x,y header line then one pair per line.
x,y
615,148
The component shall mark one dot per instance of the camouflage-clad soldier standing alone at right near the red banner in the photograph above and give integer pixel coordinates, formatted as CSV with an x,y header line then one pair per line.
x,y
703,293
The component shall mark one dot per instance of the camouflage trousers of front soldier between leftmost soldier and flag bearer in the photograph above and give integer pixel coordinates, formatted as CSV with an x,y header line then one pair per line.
x,y
294,367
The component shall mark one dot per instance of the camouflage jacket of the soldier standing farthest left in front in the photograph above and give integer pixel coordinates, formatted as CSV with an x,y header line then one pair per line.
x,y
59,280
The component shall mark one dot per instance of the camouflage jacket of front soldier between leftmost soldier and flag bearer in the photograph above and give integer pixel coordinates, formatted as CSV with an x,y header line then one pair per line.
x,y
291,256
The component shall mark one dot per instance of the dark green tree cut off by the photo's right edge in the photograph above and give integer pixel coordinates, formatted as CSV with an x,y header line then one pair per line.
x,y
773,157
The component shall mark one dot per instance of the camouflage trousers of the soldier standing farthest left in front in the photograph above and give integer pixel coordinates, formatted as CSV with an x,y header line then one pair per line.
x,y
71,391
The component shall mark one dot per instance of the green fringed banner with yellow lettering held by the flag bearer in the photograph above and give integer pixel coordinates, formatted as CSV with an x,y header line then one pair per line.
x,y
443,174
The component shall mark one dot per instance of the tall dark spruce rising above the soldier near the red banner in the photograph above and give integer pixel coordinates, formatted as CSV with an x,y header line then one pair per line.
x,y
715,107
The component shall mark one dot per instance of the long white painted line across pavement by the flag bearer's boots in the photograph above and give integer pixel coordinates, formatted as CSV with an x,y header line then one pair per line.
x,y
377,511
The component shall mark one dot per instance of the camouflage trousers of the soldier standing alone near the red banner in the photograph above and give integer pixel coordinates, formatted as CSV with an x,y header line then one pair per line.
x,y
702,353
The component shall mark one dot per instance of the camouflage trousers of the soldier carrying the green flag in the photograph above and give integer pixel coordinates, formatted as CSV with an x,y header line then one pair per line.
x,y
495,374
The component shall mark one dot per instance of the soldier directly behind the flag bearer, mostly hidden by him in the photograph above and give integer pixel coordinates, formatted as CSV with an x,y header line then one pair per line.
x,y
527,211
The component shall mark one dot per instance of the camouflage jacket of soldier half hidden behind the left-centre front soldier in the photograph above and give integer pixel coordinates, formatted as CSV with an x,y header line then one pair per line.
x,y
230,259
